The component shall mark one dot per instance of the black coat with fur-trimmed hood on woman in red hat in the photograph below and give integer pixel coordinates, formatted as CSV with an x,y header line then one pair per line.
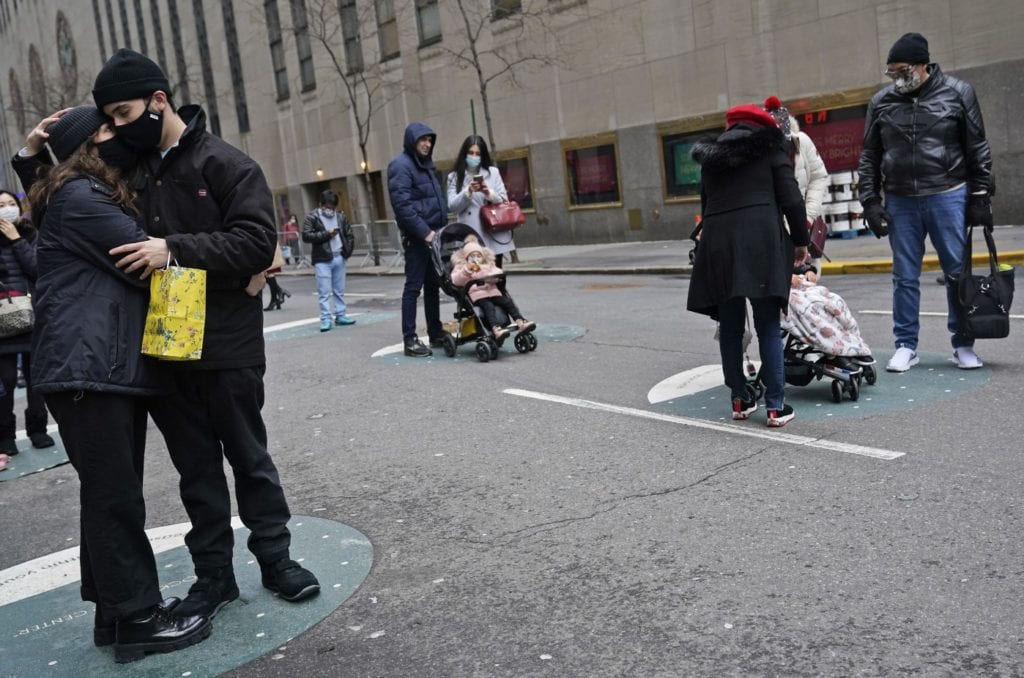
x,y
747,185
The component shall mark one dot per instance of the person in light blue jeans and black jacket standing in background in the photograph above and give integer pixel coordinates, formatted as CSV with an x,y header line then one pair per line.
x,y
328,231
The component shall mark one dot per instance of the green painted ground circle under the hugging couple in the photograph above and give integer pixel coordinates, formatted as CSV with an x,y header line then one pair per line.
x,y
52,633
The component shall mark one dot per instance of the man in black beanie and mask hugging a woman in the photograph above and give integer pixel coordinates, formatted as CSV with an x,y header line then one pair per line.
x,y
207,205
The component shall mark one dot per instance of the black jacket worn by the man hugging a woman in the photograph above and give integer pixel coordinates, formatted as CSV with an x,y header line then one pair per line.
x,y
212,204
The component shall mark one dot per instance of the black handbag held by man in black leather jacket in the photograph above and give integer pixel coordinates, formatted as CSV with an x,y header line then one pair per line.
x,y
983,303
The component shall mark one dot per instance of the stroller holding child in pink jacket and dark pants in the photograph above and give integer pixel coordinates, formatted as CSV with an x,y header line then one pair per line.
x,y
487,314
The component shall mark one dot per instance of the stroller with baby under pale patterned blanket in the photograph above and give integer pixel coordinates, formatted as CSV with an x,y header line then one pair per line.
x,y
823,340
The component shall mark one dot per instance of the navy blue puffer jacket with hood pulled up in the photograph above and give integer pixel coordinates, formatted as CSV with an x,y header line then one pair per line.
x,y
419,202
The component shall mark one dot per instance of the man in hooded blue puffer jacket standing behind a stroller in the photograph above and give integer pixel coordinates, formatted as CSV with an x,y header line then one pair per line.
x,y
420,208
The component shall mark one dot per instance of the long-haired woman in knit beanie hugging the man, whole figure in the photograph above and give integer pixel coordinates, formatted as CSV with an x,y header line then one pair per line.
x,y
88,363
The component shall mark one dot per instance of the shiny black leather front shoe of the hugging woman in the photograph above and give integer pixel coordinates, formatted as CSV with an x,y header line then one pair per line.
x,y
157,630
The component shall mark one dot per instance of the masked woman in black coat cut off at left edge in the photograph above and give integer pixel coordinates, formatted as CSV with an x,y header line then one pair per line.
x,y
18,276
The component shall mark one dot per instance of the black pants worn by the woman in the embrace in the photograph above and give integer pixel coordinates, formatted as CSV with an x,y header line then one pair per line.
x,y
105,437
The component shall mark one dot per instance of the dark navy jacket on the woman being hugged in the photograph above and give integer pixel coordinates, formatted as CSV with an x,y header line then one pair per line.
x,y
90,314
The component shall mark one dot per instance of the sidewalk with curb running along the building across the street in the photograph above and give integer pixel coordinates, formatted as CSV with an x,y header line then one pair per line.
x,y
863,255
